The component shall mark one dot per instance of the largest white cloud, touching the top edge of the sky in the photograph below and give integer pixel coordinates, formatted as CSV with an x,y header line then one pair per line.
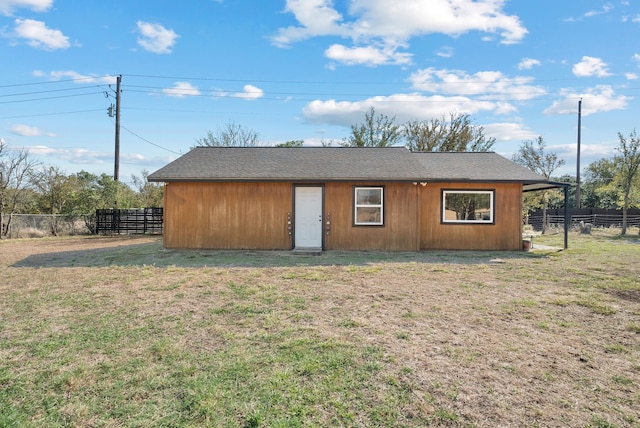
x,y
387,27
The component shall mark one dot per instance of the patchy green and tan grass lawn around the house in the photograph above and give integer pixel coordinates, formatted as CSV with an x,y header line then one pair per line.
x,y
118,332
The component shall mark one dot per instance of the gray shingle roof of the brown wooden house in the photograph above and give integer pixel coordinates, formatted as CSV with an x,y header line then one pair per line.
x,y
338,164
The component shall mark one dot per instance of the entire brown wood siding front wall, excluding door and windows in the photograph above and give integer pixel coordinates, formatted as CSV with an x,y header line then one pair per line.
x,y
255,215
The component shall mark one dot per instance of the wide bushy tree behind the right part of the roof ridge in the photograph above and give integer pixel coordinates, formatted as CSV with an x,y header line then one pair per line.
x,y
458,134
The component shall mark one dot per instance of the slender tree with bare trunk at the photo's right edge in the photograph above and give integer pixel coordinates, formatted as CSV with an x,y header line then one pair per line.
x,y
627,166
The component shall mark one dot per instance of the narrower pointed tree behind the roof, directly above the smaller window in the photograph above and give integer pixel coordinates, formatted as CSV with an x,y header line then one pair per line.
x,y
378,130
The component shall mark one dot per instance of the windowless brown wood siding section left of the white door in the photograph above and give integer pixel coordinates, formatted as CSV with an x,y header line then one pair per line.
x,y
227,215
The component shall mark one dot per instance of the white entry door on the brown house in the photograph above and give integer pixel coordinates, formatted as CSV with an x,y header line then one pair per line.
x,y
308,217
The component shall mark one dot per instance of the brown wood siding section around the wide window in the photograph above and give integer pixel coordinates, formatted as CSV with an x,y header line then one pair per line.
x,y
504,234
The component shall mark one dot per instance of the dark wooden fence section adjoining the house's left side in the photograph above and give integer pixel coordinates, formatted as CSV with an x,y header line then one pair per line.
x,y
136,221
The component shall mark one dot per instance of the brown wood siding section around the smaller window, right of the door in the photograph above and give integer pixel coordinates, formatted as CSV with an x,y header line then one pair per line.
x,y
400,230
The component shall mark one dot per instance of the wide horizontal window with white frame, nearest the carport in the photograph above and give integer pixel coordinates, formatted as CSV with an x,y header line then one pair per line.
x,y
468,206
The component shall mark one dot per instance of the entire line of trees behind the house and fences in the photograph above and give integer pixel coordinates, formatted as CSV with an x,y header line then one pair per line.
x,y
27,186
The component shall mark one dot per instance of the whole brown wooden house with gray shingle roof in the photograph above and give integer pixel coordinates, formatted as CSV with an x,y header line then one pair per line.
x,y
390,199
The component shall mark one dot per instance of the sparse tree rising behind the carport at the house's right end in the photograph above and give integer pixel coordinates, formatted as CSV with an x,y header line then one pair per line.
x,y
532,155
